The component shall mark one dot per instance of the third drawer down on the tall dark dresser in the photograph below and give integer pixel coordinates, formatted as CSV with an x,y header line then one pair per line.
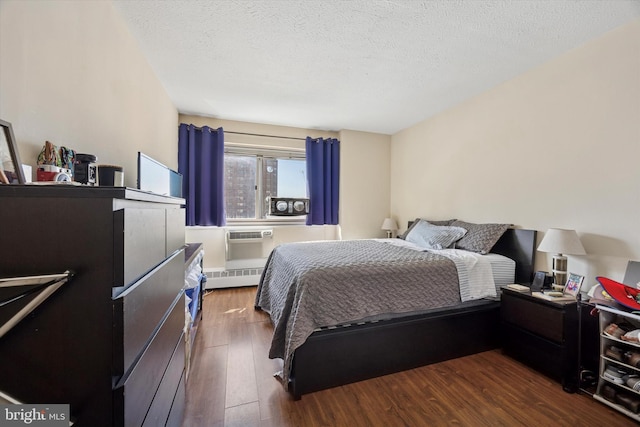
x,y
135,392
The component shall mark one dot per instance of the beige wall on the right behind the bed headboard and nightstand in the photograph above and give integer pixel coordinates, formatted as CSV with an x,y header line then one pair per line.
x,y
555,147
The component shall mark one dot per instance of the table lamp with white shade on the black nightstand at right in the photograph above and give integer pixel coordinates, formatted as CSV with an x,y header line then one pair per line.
x,y
561,242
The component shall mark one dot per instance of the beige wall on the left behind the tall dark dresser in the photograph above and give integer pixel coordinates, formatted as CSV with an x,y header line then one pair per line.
x,y
71,73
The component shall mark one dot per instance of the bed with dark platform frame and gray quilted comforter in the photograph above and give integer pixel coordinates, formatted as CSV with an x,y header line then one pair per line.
x,y
321,348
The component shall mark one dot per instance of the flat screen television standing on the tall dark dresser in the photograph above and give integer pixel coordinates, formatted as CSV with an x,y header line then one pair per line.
x,y
157,178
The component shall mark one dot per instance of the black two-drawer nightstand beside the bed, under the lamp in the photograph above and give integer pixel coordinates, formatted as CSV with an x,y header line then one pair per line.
x,y
542,334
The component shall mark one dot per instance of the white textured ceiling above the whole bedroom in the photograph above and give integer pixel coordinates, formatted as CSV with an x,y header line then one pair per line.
x,y
368,65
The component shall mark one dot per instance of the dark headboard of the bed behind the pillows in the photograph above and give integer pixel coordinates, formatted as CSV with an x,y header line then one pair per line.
x,y
520,246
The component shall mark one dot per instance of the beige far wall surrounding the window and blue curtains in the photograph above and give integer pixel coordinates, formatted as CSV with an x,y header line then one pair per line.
x,y
364,184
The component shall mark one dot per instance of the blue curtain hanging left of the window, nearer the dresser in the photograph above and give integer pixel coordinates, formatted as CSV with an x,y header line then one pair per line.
x,y
201,163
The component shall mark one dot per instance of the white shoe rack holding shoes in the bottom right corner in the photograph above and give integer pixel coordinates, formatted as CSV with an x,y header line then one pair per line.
x,y
610,315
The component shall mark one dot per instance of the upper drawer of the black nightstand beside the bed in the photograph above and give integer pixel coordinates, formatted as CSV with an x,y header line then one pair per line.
x,y
541,319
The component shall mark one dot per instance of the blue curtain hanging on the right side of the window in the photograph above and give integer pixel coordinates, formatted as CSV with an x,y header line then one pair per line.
x,y
323,171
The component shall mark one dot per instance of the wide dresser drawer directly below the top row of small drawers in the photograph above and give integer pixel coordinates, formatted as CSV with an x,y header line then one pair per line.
x,y
140,308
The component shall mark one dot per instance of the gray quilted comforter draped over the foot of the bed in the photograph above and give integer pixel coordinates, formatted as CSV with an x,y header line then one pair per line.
x,y
306,286
